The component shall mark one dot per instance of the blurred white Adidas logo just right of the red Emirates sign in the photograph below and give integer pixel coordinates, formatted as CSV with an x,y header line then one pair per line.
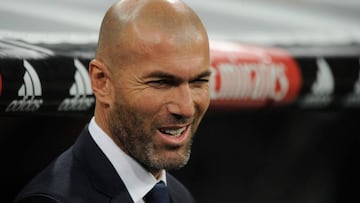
x,y
322,90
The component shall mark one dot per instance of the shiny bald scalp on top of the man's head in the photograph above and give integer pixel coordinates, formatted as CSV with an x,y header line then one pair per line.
x,y
132,28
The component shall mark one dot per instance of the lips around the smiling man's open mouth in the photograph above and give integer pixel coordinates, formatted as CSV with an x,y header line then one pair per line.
x,y
172,140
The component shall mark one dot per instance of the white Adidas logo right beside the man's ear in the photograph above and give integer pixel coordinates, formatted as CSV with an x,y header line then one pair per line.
x,y
80,91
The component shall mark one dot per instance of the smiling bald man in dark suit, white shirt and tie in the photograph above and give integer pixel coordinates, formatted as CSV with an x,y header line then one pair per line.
x,y
150,78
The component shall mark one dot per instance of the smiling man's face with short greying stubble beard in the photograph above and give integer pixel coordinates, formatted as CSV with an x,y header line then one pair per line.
x,y
159,101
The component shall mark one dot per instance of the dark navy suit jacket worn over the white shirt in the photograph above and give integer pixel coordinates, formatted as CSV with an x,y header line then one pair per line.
x,y
83,174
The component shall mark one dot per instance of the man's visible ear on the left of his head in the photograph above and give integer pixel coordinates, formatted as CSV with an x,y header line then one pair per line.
x,y
100,78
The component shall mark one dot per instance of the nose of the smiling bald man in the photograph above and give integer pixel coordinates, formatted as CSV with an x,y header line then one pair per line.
x,y
181,101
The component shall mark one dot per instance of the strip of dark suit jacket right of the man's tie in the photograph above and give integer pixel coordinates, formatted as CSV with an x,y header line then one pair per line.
x,y
178,191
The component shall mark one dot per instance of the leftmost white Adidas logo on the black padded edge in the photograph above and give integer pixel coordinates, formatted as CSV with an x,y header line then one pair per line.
x,y
30,90
